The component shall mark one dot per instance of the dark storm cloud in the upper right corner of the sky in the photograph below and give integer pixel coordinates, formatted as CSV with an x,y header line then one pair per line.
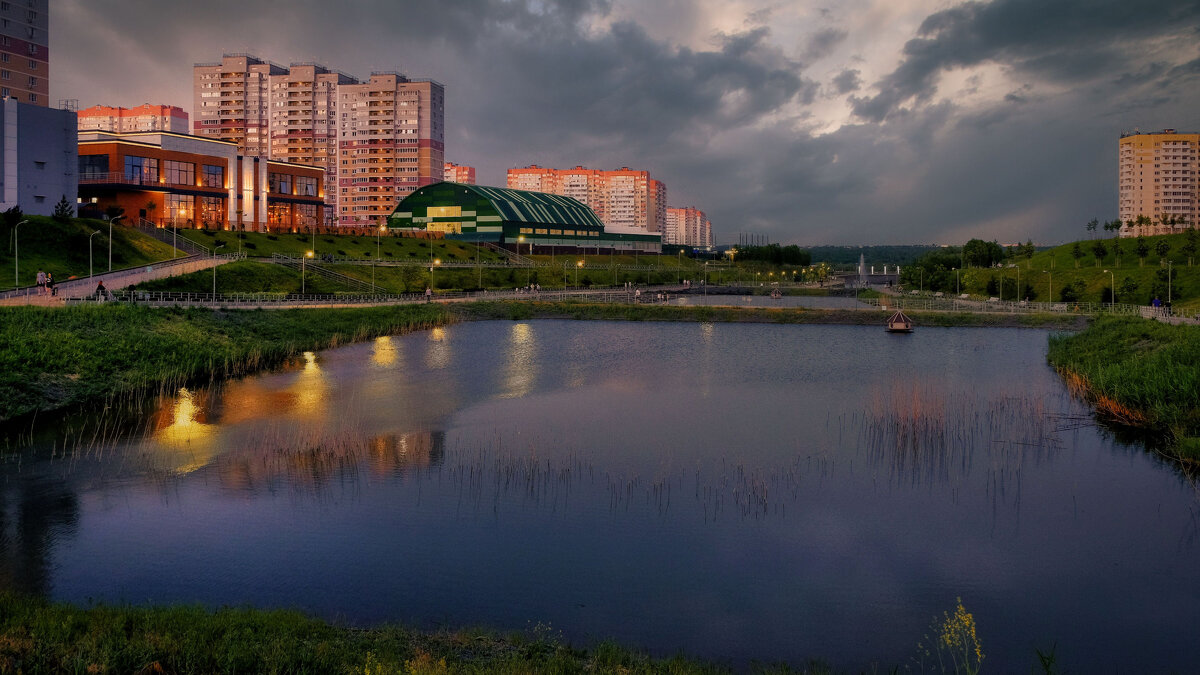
x,y
1064,41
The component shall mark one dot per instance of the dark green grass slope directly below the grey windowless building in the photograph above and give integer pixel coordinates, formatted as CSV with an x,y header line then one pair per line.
x,y
63,249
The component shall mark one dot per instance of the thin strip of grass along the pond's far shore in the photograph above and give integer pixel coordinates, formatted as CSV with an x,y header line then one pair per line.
x,y
525,310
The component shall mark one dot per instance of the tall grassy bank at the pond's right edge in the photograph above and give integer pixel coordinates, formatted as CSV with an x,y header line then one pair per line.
x,y
1141,374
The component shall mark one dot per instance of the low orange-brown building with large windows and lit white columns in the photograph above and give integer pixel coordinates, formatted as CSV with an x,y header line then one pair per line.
x,y
179,181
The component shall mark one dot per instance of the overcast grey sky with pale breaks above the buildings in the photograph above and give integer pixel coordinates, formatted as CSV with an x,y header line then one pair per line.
x,y
853,122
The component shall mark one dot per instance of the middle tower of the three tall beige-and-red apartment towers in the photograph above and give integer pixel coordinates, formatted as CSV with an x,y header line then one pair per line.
x,y
303,122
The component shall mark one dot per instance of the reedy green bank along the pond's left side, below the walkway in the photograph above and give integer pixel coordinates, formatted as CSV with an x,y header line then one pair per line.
x,y
59,357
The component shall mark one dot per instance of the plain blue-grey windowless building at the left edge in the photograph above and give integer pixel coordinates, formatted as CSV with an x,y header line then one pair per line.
x,y
38,150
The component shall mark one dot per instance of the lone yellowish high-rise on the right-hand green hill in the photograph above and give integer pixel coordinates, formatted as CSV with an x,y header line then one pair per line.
x,y
1157,180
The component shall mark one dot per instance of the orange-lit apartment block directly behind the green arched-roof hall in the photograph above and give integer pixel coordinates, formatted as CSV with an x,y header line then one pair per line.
x,y
622,199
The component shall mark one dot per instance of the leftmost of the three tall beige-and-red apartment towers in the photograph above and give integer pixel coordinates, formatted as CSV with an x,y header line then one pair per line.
x,y
231,101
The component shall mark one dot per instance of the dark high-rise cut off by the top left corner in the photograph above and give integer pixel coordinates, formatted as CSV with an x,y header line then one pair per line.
x,y
25,51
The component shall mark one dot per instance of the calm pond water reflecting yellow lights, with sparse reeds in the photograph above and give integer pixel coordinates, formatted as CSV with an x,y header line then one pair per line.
x,y
734,492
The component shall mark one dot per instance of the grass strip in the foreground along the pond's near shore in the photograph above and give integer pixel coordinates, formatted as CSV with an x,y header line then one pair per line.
x,y
38,637
